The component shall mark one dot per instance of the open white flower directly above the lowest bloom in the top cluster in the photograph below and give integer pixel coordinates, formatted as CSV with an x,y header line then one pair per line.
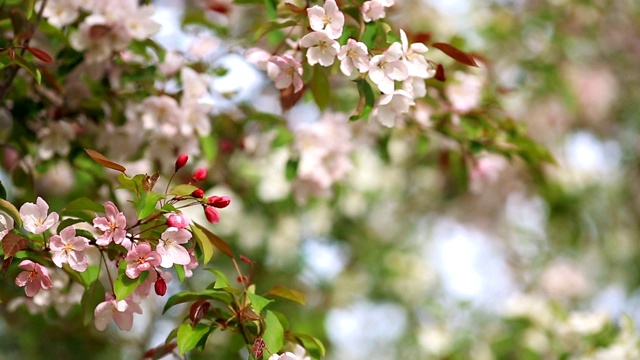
x,y
387,68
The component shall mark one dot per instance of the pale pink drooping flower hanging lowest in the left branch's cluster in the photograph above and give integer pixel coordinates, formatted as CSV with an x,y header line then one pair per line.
x,y
119,311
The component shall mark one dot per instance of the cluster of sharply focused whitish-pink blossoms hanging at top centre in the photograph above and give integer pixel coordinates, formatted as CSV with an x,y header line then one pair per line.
x,y
402,63
